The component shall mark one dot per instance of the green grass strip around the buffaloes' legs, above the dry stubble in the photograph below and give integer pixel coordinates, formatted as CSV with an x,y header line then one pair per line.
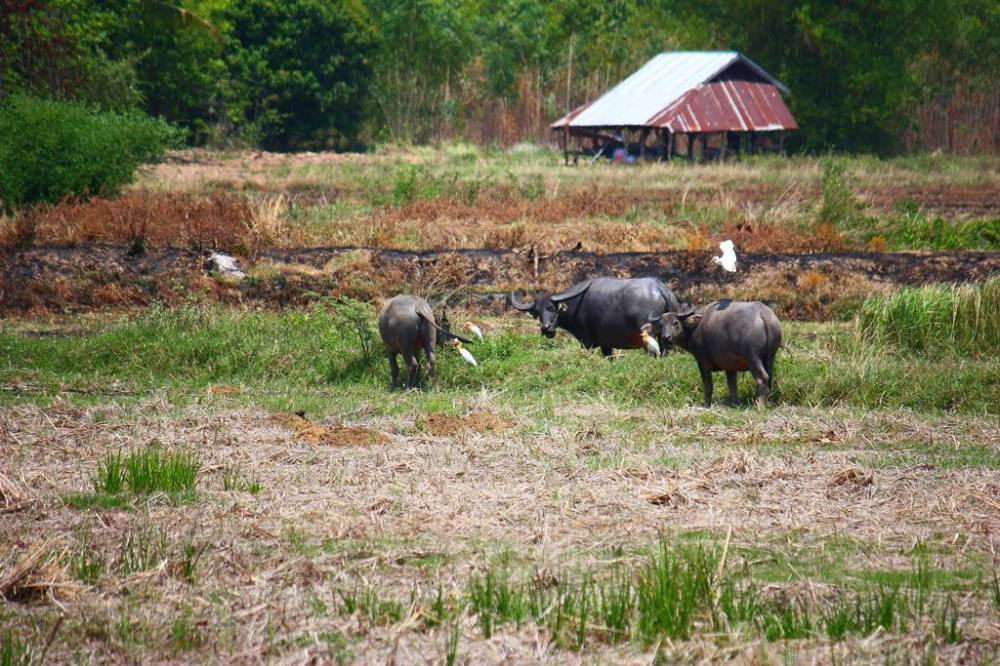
x,y
304,359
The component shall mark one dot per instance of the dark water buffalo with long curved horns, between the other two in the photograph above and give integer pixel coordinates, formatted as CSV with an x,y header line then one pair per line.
x,y
602,312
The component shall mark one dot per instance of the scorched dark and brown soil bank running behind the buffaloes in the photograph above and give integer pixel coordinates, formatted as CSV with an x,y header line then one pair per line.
x,y
40,280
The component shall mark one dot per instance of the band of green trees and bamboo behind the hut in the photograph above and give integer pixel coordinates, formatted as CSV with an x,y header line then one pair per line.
x,y
327,73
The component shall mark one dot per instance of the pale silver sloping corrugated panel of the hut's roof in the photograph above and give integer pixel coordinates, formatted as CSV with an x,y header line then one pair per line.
x,y
656,85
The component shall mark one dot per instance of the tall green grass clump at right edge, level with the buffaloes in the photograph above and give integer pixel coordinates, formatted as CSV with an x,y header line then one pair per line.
x,y
939,318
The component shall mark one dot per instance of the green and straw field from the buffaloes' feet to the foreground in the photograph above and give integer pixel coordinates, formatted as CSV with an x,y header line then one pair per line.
x,y
547,505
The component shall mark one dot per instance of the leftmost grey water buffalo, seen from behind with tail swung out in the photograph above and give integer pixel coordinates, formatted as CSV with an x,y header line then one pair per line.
x,y
406,325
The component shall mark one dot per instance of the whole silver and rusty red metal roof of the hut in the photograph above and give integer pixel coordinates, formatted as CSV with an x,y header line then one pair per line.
x,y
683,87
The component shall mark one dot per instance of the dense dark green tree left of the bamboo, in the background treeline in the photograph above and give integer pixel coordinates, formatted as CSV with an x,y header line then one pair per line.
x,y
301,70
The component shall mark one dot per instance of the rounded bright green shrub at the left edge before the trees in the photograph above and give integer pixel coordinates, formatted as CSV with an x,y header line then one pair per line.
x,y
51,150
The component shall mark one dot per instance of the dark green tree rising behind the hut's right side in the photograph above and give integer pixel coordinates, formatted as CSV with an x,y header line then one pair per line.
x,y
849,65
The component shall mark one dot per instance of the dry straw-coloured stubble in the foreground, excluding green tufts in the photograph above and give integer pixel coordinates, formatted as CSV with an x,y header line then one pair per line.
x,y
409,513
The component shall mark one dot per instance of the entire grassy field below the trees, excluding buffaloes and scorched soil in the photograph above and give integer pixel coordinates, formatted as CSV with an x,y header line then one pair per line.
x,y
190,482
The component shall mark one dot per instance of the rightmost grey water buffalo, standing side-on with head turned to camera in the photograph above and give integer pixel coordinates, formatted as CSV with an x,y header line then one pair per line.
x,y
725,335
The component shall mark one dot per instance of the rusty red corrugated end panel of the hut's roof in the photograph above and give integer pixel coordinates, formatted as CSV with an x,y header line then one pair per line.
x,y
731,105
